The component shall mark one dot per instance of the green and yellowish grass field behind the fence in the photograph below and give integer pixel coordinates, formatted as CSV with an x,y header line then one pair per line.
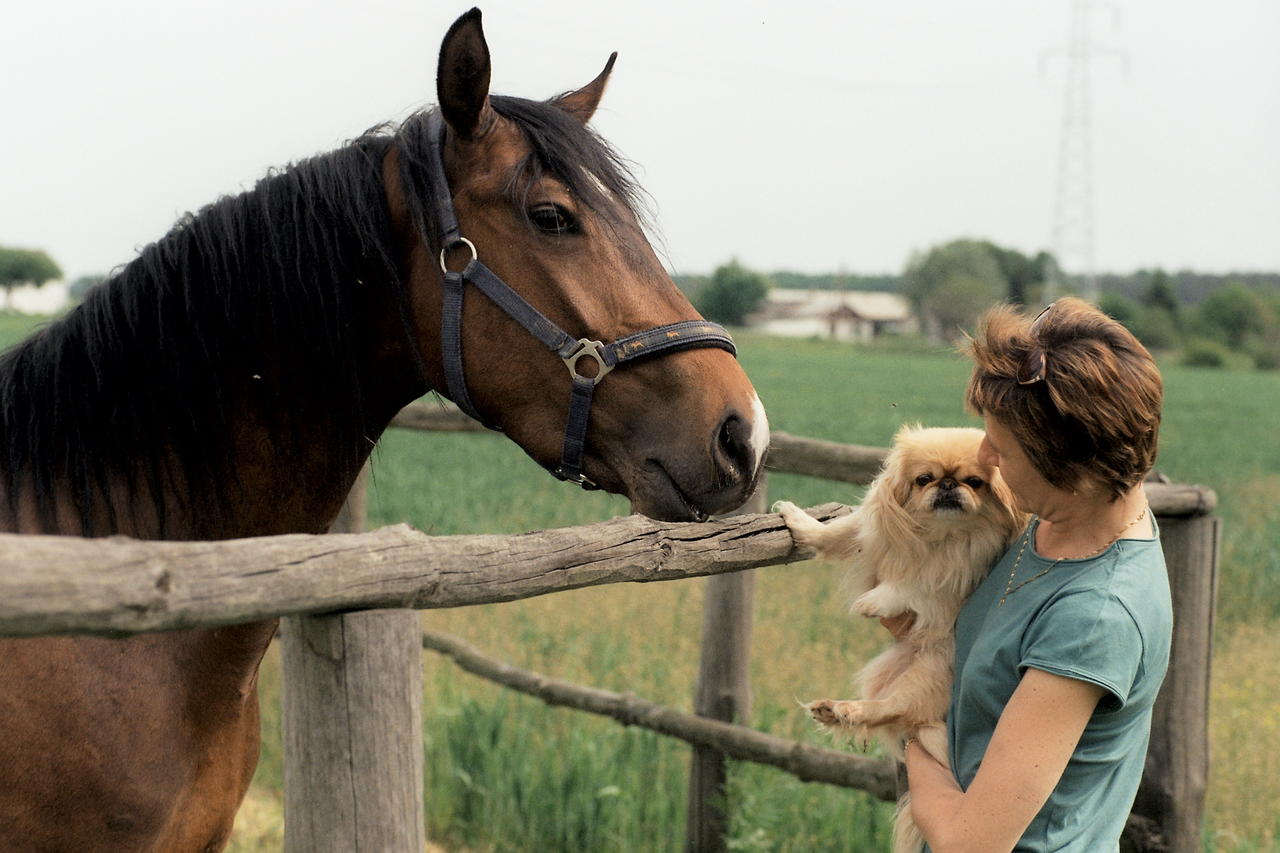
x,y
509,774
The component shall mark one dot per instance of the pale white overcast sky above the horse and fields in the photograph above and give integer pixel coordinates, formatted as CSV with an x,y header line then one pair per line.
x,y
806,135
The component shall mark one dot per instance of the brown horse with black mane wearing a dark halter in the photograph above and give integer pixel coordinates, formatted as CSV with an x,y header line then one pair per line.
x,y
232,380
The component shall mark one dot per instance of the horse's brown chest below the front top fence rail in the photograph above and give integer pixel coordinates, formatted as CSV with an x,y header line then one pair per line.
x,y
121,745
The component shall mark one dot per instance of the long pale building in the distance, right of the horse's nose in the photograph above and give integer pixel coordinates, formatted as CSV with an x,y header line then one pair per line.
x,y
844,316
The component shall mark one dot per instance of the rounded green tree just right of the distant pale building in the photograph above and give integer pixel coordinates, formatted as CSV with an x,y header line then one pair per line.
x,y
952,285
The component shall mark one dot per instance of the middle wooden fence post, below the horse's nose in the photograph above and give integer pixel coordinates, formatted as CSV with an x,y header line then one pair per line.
x,y
724,694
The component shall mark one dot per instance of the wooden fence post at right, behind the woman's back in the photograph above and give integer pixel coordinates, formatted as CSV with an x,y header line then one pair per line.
x,y
1171,805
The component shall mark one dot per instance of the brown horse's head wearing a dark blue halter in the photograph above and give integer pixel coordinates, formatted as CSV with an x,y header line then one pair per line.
x,y
532,258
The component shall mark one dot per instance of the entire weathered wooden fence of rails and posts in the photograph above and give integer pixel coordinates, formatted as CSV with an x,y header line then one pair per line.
x,y
353,715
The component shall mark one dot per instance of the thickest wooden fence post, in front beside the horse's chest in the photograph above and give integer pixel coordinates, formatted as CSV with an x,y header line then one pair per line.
x,y
353,711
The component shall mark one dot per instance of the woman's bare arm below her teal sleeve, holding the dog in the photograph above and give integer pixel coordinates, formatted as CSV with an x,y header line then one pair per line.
x,y
1030,750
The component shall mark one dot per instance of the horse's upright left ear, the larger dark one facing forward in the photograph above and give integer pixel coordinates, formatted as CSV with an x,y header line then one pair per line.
x,y
463,77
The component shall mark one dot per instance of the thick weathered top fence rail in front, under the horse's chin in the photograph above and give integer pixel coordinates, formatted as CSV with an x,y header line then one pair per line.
x,y
120,586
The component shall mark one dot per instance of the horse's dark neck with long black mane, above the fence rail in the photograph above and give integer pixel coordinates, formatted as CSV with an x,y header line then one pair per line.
x,y
231,382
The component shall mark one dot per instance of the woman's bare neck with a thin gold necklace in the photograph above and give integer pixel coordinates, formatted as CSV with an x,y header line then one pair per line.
x,y
1081,524
